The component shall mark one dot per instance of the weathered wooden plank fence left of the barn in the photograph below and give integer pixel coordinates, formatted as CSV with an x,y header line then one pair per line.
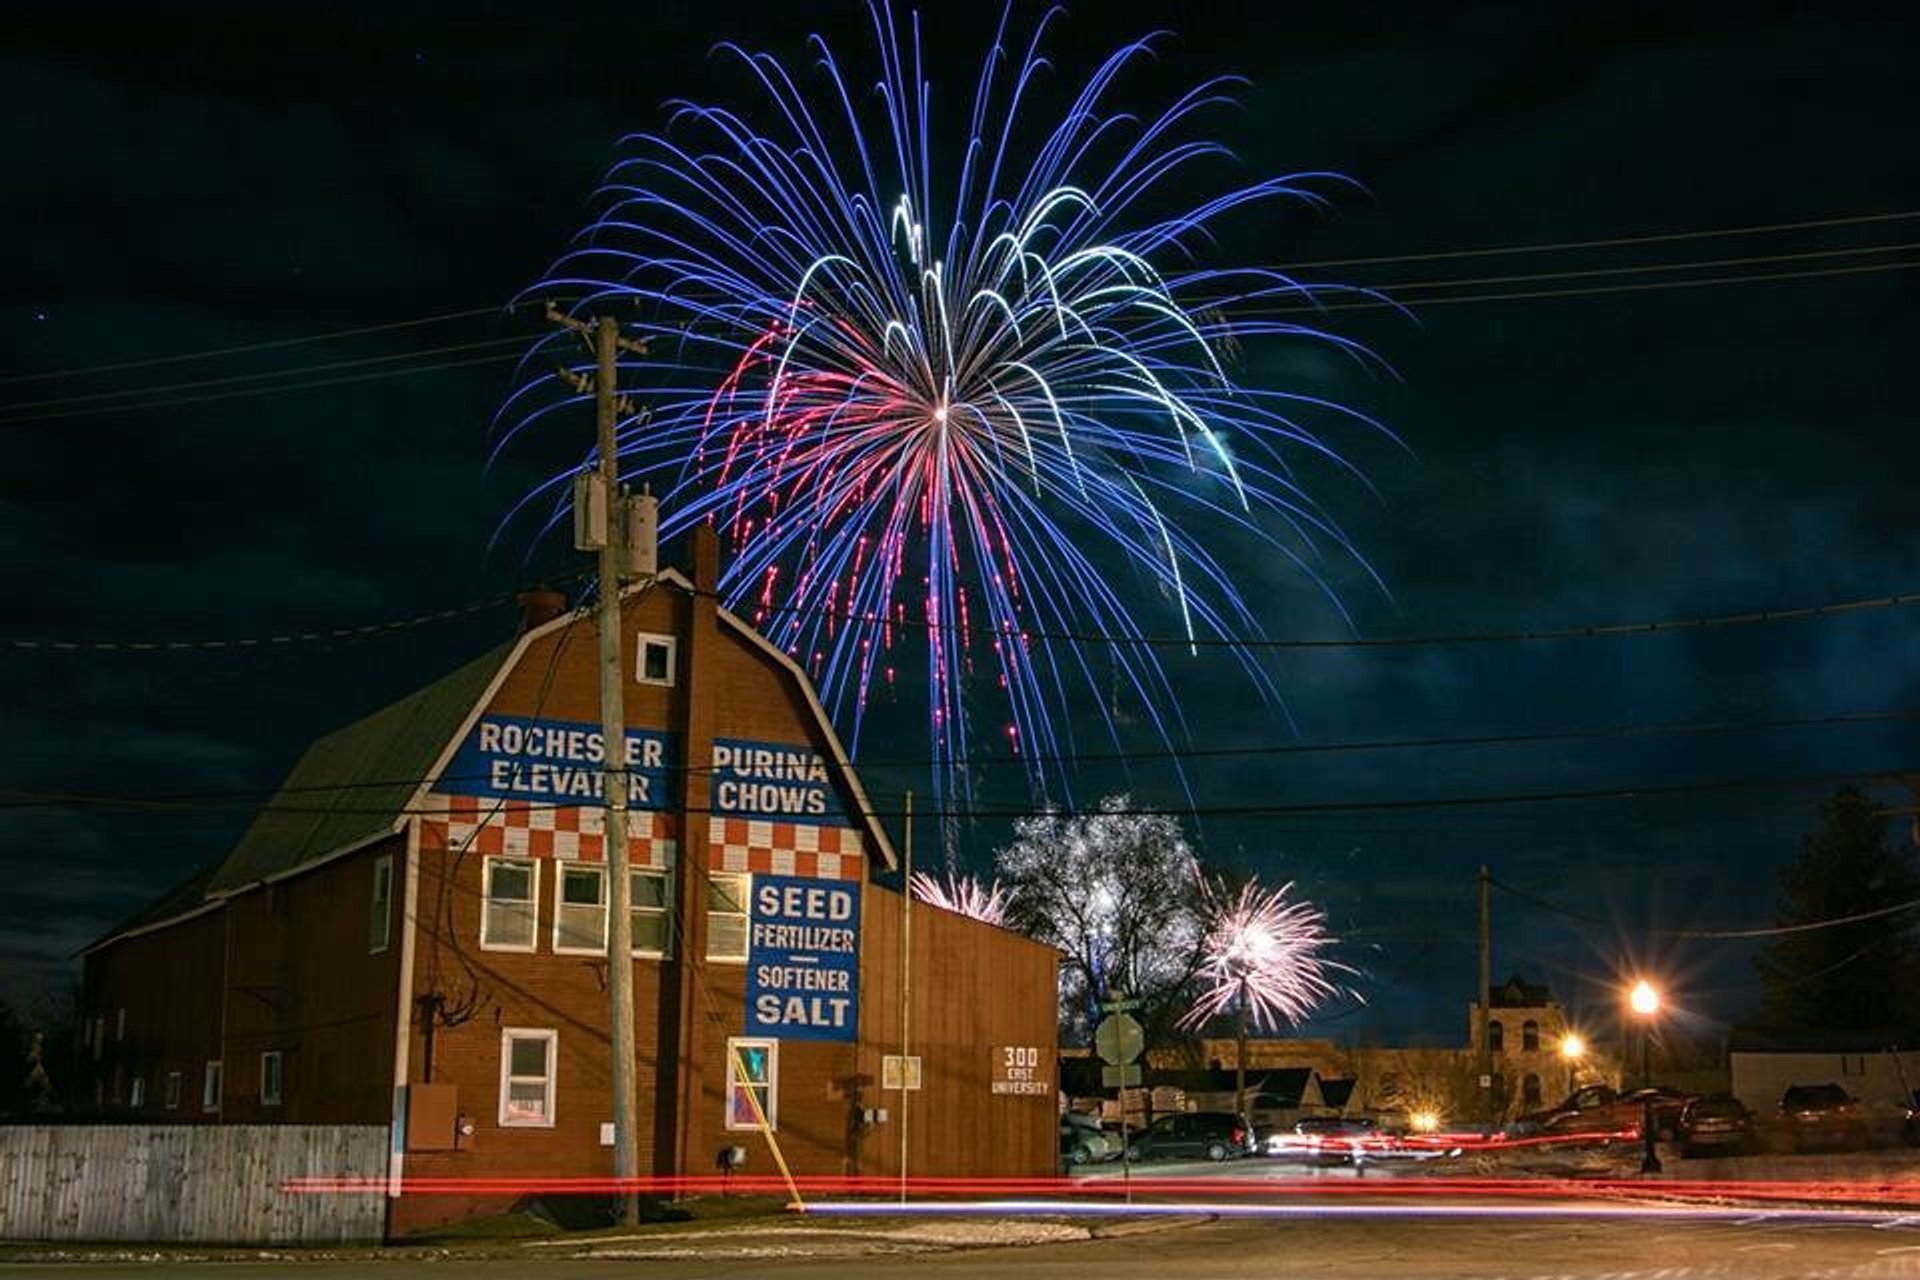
x,y
203,1183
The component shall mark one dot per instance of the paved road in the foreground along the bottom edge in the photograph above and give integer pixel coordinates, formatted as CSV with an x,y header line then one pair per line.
x,y
1395,1248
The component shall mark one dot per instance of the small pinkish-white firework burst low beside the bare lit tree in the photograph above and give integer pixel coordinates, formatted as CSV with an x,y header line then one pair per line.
x,y
1264,955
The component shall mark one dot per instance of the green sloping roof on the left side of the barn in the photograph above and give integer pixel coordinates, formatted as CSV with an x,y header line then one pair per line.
x,y
354,784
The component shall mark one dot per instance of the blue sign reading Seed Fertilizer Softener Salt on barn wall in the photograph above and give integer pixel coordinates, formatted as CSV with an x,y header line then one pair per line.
x,y
804,959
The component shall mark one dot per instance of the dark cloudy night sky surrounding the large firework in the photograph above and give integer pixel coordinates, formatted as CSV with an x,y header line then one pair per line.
x,y
199,179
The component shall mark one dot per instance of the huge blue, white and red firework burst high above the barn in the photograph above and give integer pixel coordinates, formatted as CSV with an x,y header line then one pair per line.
x,y
961,402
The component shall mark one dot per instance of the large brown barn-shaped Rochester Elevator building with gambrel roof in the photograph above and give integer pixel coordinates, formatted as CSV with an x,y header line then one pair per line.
x,y
414,934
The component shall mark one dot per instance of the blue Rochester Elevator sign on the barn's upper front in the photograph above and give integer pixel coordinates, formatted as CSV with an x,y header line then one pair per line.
x,y
556,763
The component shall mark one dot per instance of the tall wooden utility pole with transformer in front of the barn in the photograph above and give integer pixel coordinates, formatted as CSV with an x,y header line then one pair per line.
x,y
602,525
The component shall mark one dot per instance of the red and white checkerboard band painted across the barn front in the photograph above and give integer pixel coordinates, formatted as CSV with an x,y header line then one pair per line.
x,y
521,830
